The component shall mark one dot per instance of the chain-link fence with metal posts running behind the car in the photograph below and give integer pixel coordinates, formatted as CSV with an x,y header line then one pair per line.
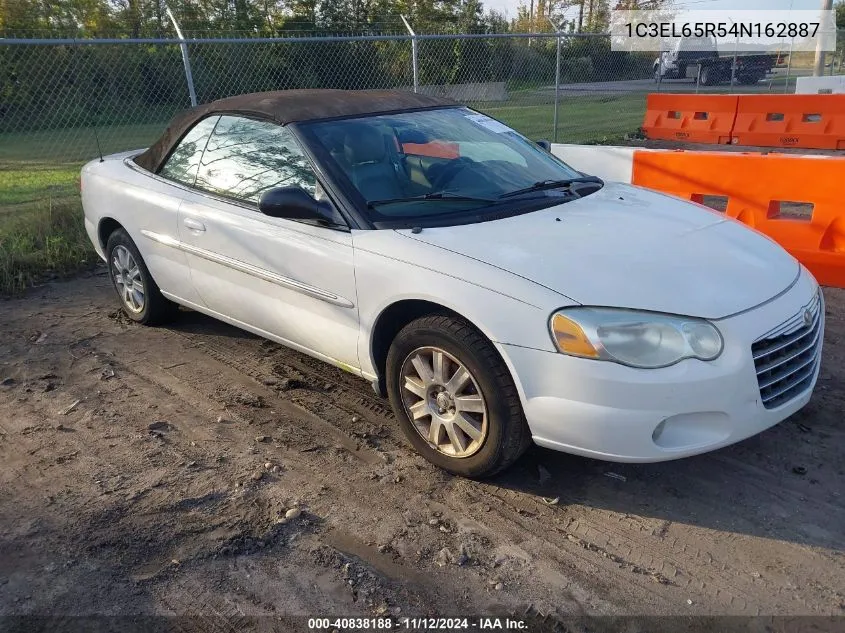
x,y
60,98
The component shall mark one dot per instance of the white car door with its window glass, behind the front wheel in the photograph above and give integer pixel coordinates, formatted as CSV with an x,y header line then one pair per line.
x,y
288,279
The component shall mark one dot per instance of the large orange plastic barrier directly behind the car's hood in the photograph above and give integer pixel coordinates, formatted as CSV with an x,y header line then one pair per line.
x,y
756,186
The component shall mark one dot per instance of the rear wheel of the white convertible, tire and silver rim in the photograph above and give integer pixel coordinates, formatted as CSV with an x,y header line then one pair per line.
x,y
139,295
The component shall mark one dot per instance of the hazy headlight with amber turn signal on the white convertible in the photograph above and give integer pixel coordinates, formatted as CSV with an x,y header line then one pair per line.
x,y
640,339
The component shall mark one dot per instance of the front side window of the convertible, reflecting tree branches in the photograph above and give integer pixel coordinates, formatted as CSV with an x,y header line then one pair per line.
x,y
245,157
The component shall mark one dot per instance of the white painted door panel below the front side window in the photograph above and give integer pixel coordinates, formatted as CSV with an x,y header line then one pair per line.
x,y
325,323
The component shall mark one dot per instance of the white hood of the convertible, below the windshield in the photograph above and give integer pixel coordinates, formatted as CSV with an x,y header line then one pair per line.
x,y
624,246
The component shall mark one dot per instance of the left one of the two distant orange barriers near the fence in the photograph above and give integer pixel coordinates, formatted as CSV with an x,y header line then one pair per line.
x,y
693,118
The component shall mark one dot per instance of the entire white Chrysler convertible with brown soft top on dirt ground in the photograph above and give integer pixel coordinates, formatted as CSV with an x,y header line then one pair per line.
x,y
493,293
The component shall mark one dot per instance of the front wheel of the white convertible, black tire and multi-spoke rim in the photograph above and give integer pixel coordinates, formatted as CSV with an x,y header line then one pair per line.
x,y
454,397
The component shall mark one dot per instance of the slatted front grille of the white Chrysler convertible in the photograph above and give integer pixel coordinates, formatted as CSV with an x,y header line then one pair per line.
x,y
787,358
